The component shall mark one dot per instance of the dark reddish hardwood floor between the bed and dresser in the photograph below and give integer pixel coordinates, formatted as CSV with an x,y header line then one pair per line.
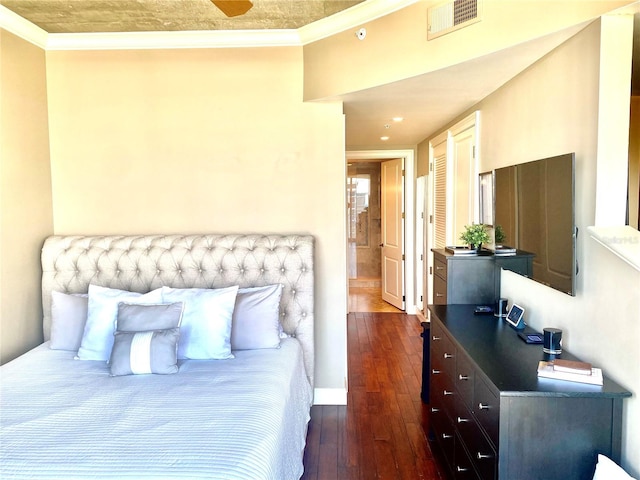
x,y
382,431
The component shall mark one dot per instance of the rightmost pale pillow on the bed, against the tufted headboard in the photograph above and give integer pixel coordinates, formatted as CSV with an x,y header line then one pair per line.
x,y
256,318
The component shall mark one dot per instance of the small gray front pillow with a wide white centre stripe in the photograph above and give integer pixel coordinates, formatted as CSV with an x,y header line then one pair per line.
x,y
136,353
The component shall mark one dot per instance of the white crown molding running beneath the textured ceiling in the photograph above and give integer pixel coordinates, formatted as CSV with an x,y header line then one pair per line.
x,y
357,15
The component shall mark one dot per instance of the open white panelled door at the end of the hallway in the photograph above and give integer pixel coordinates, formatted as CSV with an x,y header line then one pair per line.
x,y
392,201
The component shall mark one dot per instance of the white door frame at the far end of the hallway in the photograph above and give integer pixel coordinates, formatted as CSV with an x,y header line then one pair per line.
x,y
409,214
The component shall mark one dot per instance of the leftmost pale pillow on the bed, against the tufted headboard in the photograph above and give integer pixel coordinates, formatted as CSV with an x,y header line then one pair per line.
x,y
68,318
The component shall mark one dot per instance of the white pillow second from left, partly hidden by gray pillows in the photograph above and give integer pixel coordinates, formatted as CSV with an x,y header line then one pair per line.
x,y
97,340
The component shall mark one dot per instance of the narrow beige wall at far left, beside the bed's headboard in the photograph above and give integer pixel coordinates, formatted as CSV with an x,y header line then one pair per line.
x,y
25,192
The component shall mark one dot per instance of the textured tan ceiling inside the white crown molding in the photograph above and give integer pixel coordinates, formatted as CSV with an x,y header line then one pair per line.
x,y
83,16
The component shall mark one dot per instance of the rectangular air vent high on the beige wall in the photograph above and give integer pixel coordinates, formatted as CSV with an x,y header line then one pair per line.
x,y
451,16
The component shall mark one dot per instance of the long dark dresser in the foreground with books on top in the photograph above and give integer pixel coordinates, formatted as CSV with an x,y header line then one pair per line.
x,y
492,418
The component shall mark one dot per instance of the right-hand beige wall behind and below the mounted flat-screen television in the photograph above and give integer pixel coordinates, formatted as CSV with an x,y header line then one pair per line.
x,y
553,108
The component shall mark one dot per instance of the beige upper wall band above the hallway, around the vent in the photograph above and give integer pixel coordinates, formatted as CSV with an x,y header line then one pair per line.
x,y
396,45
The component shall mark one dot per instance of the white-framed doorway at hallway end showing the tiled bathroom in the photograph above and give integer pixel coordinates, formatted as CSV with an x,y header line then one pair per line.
x,y
364,231
